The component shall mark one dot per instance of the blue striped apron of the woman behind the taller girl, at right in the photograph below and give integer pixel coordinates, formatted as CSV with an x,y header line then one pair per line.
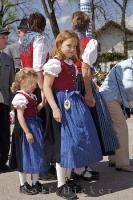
x,y
108,136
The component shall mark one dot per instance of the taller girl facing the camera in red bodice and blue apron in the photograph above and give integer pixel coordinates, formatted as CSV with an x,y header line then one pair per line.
x,y
71,139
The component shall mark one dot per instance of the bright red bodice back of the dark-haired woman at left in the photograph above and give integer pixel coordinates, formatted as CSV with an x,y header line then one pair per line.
x,y
27,57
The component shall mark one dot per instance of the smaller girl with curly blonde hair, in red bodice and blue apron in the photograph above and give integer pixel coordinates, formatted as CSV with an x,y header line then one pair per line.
x,y
27,150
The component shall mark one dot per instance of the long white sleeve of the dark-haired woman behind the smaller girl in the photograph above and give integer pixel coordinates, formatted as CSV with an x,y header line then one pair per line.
x,y
40,53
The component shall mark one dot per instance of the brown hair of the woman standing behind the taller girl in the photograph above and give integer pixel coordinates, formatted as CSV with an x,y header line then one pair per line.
x,y
80,21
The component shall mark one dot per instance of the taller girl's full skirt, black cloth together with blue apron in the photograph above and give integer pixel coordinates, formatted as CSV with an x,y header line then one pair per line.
x,y
74,142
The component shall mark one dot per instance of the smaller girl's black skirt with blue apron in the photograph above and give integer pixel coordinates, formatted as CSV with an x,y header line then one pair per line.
x,y
26,157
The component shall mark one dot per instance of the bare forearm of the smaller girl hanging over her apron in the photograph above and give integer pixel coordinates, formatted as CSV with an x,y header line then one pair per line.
x,y
21,119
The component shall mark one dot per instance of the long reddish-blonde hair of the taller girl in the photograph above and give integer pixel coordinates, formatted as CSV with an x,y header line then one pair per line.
x,y
61,37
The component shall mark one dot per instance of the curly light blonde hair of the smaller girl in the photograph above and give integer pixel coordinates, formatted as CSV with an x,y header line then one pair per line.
x,y
20,78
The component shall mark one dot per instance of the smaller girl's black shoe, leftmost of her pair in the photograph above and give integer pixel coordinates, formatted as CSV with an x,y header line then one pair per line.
x,y
27,189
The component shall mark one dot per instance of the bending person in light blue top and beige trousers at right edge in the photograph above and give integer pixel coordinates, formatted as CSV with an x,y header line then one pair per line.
x,y
117,90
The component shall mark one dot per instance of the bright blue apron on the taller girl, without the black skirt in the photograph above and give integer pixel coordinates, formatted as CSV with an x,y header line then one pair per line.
x,y
80,145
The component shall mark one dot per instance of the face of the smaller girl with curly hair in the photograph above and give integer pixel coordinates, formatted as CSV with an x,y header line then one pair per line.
x,y
29,85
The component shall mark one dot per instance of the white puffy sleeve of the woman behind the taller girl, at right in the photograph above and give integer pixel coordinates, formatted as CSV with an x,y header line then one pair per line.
x,y
89,55
